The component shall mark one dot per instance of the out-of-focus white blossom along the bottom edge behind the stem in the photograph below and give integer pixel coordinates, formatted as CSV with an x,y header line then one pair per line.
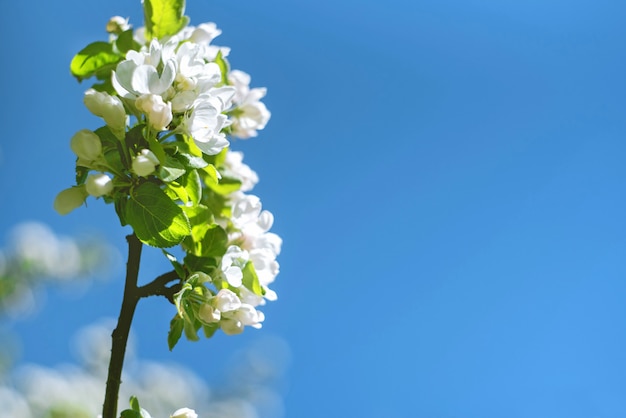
x,y
75,390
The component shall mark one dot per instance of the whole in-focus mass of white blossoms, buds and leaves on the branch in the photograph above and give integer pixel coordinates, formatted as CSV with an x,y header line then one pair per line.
x,y
171,105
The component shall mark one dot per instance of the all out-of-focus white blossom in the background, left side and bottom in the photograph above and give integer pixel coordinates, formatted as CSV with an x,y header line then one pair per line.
x,y
33,260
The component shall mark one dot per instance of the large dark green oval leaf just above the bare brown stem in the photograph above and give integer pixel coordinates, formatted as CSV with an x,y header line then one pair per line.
x,y
157,220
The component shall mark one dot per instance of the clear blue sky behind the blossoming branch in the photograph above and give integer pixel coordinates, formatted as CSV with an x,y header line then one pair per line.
x,y
447,177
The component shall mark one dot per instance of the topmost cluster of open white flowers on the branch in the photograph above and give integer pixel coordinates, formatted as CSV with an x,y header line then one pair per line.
x,y
179,81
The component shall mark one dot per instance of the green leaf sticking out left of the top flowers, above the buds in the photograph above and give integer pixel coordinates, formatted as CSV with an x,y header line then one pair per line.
x,y
96,58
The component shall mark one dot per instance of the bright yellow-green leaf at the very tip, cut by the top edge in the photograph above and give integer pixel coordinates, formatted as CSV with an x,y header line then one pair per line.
x,y
164,17
